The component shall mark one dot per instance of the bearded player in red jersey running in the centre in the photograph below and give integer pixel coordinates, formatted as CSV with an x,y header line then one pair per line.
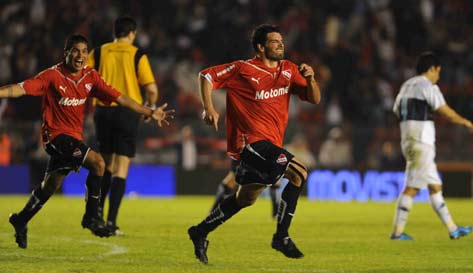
x,y
258,93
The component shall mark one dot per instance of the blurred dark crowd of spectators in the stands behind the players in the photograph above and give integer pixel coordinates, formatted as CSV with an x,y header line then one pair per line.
x,y
362,51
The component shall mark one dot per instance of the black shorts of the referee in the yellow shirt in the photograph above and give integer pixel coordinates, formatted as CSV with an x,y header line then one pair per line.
x,y
116,129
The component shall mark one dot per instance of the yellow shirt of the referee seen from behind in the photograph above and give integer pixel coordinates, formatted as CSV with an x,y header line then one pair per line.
x,y
117,67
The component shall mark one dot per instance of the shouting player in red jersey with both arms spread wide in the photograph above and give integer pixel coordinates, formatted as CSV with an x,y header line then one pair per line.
x,y
65,88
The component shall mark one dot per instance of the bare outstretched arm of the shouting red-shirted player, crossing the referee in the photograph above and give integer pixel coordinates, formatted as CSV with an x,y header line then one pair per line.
x,y
159,114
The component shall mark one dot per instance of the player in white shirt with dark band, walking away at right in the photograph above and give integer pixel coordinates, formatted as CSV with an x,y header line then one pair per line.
x,y
415,104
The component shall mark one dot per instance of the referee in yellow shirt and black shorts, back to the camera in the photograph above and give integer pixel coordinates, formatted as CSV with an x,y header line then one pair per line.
x,y
126,68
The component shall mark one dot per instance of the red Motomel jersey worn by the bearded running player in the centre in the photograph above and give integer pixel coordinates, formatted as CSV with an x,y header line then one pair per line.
x,y
257,99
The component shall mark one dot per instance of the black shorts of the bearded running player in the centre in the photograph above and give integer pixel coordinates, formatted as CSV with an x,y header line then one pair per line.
x,y
262,162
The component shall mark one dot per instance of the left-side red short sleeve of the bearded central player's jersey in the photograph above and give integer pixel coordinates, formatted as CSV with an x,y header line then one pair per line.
x,y
219,75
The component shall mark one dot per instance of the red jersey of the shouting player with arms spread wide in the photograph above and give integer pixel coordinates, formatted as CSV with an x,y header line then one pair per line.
x,y
64,98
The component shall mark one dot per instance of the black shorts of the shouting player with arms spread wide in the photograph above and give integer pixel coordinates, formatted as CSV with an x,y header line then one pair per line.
x,y
66,154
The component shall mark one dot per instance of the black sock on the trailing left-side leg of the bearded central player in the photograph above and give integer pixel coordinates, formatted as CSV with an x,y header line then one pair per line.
x,y
226,209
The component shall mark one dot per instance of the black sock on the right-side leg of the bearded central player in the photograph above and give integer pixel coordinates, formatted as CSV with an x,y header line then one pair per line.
x,y
287,208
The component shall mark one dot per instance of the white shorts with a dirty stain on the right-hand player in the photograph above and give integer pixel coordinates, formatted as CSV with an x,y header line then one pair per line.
x,y
421,169
